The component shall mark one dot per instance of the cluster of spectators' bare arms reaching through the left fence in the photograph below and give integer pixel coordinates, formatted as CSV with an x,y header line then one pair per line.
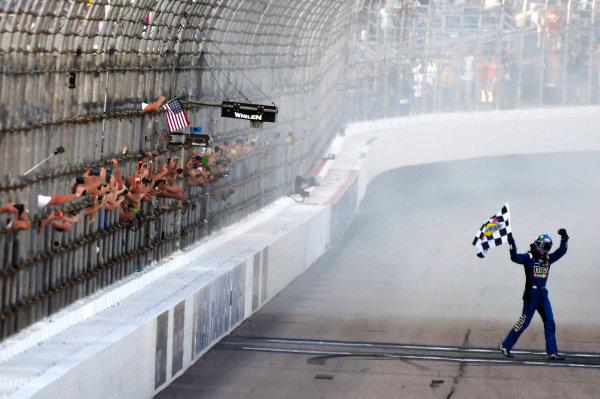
x,y
109,190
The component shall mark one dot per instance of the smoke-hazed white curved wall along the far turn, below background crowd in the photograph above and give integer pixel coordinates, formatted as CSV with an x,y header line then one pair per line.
x,y
445,137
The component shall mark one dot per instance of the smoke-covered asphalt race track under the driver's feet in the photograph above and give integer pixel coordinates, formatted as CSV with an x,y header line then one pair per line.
x,y
401,307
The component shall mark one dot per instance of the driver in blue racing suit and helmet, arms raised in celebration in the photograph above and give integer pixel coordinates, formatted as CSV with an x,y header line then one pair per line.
x,y
537,267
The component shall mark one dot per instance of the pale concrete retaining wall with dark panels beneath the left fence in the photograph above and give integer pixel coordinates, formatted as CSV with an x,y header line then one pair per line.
x,y
207,298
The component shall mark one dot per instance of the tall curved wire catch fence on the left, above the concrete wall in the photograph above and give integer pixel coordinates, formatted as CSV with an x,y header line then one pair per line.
x,y
74,75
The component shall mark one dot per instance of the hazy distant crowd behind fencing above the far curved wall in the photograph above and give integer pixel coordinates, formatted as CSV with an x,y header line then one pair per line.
x,y
550,63
